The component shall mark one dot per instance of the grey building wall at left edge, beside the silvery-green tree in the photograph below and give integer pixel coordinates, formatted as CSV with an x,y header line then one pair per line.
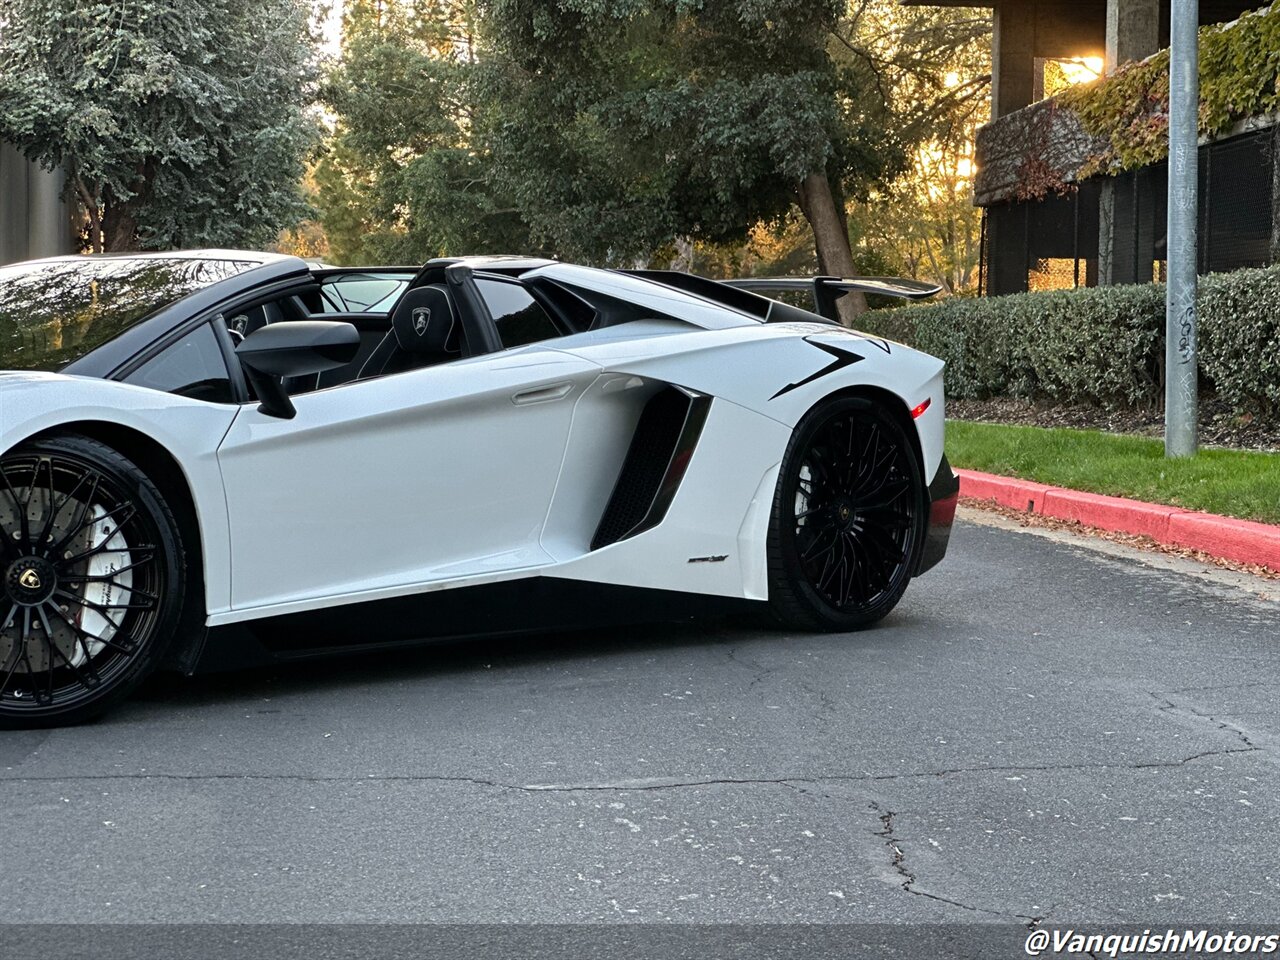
x,y
34,218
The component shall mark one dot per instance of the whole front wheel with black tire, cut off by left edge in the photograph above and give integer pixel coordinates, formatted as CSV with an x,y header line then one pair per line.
x,y
92,580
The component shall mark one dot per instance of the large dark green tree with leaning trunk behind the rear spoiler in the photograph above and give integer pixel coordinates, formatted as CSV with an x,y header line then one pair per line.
x,y
636,122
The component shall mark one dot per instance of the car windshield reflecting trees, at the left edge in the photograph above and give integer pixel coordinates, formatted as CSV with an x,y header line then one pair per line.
x,y
53,313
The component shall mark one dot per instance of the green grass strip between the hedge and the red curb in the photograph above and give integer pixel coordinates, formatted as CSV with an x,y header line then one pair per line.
x,y
1232,483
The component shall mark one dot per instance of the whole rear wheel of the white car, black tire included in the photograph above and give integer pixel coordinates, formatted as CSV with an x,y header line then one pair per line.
x,y
849,518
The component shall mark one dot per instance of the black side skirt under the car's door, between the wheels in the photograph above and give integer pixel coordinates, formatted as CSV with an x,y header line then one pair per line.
x,y
529,606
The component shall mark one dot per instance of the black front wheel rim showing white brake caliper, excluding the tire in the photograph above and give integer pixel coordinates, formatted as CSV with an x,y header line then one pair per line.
x,y
81,582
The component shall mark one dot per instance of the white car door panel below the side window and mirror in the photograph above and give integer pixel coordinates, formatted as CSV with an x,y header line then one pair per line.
x,y
385,486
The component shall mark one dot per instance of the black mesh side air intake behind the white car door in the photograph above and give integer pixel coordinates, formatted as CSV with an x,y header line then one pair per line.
x,y
660,454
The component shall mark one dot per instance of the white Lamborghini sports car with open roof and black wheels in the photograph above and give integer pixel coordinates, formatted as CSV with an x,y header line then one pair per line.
x,y
223,459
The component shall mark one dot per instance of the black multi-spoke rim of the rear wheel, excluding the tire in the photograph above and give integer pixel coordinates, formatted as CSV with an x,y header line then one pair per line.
x,y
856,511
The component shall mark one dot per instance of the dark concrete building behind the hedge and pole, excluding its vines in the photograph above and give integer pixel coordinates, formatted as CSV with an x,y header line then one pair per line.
x,y
1104,230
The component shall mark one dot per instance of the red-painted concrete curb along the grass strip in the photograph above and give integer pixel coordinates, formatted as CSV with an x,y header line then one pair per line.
x,y
1241,541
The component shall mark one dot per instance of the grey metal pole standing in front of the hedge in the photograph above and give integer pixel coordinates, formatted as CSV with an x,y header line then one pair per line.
x,y
1181,367
